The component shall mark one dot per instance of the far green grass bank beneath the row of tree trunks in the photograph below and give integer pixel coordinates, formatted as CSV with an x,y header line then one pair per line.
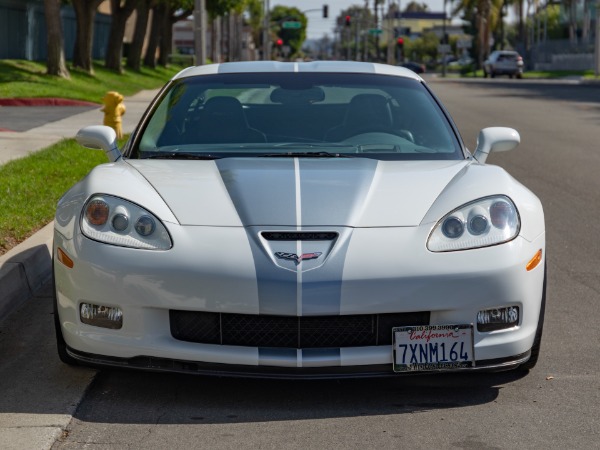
x,y
20,79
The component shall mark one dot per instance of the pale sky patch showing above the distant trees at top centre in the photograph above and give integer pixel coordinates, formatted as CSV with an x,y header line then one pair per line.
x,y
318,26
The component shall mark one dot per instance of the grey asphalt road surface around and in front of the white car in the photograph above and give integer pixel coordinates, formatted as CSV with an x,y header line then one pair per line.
x,y
557,405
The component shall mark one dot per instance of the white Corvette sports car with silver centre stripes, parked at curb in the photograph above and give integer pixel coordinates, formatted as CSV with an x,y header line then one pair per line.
x,y
304,220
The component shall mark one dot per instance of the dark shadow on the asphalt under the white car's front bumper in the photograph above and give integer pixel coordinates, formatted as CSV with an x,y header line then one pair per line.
x,y
153,398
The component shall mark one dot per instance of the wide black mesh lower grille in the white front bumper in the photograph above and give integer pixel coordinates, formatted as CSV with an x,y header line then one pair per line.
x,y
290,331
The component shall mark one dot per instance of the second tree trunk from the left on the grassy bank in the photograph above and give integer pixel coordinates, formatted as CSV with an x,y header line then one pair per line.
x,y
85,10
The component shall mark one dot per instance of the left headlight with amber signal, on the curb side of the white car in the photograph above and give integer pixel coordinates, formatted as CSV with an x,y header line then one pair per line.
x,y
116,221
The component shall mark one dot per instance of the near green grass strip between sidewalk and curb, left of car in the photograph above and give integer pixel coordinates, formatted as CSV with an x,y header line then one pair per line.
x,y
30,187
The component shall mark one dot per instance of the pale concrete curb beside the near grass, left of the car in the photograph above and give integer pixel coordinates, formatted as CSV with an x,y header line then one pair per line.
x,y
24,269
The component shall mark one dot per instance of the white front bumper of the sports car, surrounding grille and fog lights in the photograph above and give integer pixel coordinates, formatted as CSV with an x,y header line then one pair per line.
x,y
379,271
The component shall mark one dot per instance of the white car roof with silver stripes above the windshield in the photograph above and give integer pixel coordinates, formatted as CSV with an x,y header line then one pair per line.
x,y
301,67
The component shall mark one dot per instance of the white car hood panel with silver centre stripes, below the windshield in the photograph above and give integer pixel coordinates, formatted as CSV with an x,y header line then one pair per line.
x,y
299,192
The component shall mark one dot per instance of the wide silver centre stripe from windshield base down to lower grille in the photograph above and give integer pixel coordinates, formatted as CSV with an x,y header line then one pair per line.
x,y
298,194
